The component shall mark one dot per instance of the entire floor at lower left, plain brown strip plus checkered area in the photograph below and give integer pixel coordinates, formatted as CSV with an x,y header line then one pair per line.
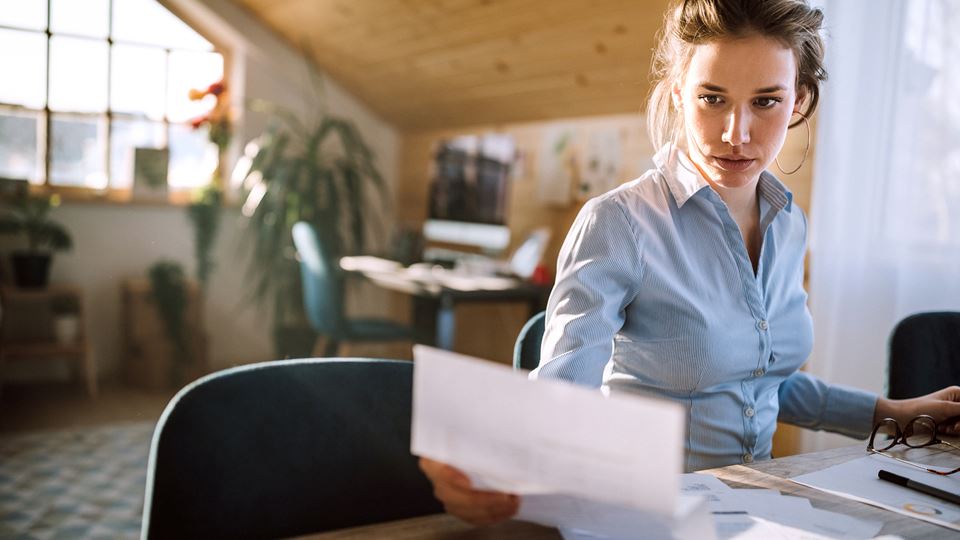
x,y
72,466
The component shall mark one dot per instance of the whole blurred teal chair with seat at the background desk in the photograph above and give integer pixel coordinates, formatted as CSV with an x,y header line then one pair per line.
x,y
323,289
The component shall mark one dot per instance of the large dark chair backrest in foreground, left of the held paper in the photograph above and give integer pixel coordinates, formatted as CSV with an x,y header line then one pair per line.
x,y
286,448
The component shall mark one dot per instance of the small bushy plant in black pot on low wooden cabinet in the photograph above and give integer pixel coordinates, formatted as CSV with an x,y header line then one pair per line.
x,y
27,215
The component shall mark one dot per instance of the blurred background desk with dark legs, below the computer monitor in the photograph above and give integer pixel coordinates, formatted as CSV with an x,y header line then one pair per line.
x,y
435,300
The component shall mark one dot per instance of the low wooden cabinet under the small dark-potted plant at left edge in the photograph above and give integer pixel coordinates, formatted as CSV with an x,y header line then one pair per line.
x,y
28,330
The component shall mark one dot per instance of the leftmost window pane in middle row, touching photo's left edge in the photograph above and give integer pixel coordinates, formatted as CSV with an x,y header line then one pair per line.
x,y
28,87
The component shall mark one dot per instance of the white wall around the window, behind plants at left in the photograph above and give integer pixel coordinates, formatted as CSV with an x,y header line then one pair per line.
x,y
114,242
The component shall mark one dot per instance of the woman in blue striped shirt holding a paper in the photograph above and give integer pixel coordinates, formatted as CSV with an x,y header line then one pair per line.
x,y
687,283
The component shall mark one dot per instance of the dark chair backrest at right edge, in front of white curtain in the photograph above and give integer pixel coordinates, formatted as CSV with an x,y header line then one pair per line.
x,y
924,354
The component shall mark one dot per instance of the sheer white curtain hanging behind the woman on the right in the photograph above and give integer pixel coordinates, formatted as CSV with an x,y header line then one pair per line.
x,y
885,215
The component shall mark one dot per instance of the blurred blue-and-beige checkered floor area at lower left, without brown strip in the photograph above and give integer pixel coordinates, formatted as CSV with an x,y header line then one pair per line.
x,y
74,483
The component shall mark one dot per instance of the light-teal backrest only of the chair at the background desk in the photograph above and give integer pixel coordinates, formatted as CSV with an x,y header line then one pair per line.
x,y
322,280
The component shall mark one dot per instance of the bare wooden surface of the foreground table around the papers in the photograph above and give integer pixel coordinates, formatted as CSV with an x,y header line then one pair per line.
x,y
767,474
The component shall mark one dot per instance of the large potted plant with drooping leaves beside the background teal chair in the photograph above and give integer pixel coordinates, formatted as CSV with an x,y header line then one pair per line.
x,y
323,174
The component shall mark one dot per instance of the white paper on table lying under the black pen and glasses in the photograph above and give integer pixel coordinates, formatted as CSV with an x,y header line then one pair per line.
x,y
857,479
